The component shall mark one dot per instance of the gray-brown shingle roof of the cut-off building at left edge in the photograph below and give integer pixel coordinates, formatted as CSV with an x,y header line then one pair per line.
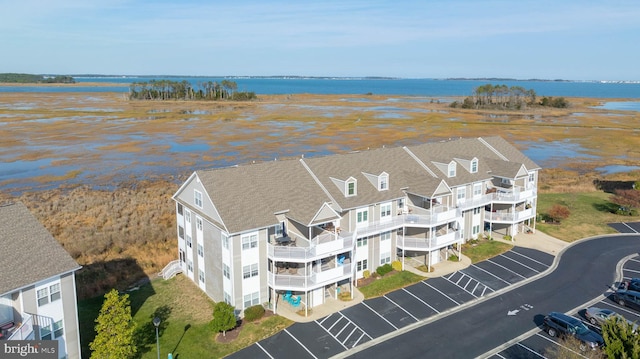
x,y
29,253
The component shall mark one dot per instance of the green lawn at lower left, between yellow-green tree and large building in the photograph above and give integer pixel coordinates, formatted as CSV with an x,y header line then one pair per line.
x,y
185,312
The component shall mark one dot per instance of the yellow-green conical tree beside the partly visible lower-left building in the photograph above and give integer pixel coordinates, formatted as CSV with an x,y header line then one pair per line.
x,y
114,329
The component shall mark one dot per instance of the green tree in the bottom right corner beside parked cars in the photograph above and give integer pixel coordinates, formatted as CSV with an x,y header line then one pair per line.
x,y
620,341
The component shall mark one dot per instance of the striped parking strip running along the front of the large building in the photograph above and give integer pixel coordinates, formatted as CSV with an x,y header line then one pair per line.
x,y
375,317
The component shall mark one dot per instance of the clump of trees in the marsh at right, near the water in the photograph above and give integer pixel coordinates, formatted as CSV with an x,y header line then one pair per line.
x,y
509,98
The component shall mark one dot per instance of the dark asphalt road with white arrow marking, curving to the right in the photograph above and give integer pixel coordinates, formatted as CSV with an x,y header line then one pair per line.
x,y
584,271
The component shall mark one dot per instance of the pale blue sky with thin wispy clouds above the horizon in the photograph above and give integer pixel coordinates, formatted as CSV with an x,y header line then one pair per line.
x,y
522,39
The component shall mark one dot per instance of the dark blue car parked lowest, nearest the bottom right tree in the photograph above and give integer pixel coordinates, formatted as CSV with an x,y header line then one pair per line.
x,y
558,324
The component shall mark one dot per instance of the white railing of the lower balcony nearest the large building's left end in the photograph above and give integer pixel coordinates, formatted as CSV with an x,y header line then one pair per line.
x,y
310,281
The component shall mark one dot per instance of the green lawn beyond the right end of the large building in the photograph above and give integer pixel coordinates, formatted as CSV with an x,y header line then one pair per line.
x,y
590,213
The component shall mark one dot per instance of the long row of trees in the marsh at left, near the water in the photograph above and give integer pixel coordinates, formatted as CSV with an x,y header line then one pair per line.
x,y
183,90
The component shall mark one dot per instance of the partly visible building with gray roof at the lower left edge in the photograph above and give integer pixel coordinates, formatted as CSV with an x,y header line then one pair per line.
x,y
37,287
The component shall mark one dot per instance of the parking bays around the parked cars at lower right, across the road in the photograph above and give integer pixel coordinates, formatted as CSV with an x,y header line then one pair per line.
x,y
540,343
